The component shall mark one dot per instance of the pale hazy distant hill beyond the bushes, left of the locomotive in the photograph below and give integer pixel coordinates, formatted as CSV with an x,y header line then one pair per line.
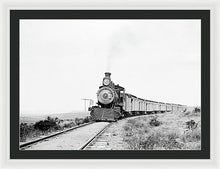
x,y
63,116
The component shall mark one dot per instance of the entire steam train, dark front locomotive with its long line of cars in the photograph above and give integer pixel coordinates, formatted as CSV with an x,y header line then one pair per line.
x,y
114,103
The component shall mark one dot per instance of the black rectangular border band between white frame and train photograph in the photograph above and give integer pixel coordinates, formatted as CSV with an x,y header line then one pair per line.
x,y
16,15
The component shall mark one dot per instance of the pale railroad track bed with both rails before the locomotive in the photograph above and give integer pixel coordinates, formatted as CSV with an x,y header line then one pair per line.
x,y
76,138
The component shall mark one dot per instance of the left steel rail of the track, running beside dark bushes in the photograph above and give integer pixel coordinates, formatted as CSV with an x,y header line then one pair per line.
x,y
52,135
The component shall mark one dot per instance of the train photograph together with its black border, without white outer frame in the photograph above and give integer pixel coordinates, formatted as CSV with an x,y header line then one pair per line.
x,y
110,84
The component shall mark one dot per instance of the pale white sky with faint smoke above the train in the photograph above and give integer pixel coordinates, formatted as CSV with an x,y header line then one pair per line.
x,y
64,61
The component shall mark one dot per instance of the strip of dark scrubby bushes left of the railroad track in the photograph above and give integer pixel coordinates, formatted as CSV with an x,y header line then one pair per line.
x,y
47,126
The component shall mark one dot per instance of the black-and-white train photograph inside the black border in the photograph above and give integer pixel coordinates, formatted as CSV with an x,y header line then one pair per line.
x,y
110,84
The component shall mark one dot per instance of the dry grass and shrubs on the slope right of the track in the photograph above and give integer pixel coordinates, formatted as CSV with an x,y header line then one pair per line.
x,y
168,131
